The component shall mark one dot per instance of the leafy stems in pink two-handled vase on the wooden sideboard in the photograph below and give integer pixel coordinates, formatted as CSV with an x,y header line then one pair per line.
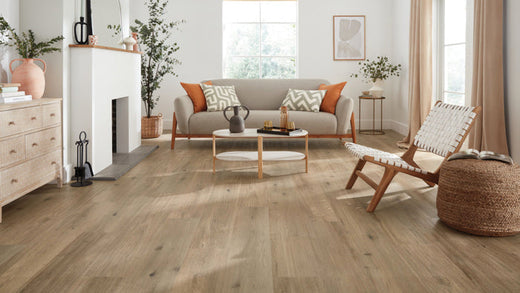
x,y
29,75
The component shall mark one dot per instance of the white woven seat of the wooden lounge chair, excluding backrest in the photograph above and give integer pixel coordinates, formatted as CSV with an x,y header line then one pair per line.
x,y
361,151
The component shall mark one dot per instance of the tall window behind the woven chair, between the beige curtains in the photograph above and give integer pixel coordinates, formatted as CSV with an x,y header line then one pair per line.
x,y
454,50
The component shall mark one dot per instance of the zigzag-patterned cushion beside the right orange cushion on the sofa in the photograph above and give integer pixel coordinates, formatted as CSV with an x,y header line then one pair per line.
x,y
304,100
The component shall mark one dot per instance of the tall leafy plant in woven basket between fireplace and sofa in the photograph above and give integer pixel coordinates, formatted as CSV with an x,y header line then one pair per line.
x,y
157,62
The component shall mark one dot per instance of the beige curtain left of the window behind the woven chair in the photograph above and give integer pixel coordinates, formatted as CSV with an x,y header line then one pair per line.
x,y
420,67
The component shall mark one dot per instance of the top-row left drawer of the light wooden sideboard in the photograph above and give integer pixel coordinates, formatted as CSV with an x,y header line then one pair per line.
x,y
16,121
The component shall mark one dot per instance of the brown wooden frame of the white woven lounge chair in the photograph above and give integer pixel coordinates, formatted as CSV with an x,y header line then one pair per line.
x,y
390,170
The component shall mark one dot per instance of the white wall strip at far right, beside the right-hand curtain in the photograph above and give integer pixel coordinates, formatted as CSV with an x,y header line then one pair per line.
x,y
512,74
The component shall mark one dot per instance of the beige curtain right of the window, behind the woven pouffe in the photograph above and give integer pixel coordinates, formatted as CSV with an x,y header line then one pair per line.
x,y
487,89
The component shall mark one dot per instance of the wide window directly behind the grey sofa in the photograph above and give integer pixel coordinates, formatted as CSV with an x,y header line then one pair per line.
x,y
259,39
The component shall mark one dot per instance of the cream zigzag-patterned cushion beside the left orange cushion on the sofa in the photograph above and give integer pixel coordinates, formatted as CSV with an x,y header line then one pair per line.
x,y
219,97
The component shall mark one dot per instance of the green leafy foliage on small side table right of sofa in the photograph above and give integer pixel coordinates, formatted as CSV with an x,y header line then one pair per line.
x,y
381,68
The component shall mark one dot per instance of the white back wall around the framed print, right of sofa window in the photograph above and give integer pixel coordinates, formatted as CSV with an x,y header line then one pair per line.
x,y
315,48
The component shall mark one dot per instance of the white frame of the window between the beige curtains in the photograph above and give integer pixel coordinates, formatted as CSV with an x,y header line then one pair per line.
x,y
439,45
